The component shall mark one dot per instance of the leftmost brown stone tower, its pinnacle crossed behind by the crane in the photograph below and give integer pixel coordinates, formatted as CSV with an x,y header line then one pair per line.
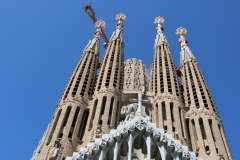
x,y
69,120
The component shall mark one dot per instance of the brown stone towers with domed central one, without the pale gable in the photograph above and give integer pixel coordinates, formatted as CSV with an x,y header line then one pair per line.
x,y
92,103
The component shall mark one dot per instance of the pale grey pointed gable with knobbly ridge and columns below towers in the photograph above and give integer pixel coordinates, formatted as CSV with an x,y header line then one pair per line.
x,y
138,126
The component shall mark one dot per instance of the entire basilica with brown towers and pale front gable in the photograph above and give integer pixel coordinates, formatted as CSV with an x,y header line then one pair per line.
x,y
113,109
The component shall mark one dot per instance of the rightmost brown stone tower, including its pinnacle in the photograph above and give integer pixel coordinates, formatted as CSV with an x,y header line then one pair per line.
x,y
204,125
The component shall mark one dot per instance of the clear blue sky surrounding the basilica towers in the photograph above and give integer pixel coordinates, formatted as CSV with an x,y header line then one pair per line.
x,y
42,41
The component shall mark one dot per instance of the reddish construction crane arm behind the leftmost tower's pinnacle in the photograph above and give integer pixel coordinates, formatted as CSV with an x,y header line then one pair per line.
x,y
88,9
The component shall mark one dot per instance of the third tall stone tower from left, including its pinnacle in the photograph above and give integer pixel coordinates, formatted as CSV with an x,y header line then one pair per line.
x,y
167,107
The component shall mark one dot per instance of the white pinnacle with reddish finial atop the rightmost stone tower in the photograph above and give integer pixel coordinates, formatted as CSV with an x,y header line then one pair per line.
x,y
186,53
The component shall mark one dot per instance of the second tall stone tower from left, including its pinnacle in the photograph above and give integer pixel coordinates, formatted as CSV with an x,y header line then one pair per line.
x,y
106,101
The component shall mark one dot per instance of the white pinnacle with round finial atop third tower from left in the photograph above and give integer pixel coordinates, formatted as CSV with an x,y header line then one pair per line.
x,y
160,38
